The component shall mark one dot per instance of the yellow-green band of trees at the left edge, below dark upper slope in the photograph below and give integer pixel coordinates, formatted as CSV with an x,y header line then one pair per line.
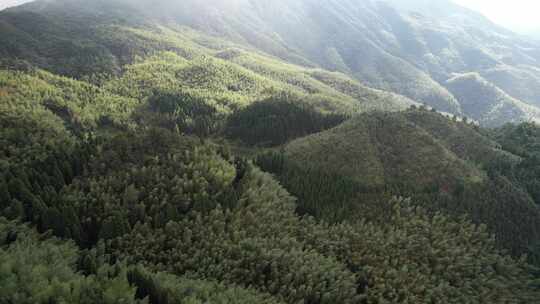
x,y
79,104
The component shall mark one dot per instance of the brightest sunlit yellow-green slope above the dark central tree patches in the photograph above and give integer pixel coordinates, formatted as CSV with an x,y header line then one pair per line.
x,y
248,77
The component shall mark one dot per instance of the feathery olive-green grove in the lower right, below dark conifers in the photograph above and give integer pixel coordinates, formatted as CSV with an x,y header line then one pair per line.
x,y
415,257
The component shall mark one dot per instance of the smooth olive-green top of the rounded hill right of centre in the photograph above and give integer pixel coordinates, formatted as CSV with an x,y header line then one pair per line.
x,y
381,148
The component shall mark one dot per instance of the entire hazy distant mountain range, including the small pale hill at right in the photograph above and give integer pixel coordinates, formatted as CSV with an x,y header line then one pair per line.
x,y
413,48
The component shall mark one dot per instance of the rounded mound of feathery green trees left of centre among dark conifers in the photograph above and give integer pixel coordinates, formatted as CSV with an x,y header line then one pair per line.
x,y
162,181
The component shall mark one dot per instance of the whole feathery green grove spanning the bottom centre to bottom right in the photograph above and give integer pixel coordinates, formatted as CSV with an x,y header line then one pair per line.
x,y
448,260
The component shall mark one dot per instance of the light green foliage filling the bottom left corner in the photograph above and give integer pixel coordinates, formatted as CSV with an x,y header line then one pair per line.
x,y
74,276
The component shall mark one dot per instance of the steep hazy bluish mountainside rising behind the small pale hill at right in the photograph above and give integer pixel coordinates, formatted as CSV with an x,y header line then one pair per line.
x,y
408,47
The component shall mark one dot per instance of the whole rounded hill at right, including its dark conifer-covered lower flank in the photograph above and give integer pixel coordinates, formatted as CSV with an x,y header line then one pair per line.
x,y
446,165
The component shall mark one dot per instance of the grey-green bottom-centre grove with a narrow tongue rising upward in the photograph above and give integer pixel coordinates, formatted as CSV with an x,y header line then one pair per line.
x,y
238,246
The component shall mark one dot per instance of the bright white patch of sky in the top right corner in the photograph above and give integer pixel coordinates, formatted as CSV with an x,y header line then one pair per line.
x,y
518,15
